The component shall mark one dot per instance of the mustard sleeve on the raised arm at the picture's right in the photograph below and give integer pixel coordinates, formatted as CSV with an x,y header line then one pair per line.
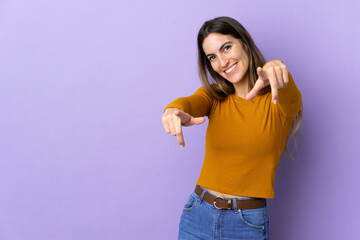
x,y
289,99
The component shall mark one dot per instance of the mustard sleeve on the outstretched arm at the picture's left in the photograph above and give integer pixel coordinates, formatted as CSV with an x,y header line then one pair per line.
x,y
197,105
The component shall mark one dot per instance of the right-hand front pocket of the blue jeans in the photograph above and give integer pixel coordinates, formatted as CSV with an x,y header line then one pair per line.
x,y
254,218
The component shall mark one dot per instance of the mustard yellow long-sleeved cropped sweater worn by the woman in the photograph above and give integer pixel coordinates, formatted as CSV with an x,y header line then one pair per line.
x,y
244,139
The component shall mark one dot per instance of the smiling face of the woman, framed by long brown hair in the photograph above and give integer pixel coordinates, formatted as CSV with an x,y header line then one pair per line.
x,y
227,56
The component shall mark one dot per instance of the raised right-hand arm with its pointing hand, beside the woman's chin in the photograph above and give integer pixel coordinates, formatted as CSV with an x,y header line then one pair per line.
x,y
283,89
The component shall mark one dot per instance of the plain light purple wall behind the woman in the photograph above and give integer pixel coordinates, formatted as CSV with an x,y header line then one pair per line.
x,y
83,85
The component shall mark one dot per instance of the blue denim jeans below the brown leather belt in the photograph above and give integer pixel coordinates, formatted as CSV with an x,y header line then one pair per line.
x,y
201,220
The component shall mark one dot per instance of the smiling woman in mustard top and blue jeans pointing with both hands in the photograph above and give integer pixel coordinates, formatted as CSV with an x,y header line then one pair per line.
x,y
253,110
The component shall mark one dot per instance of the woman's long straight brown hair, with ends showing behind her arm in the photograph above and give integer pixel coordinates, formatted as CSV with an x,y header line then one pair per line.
x,y
220,88
